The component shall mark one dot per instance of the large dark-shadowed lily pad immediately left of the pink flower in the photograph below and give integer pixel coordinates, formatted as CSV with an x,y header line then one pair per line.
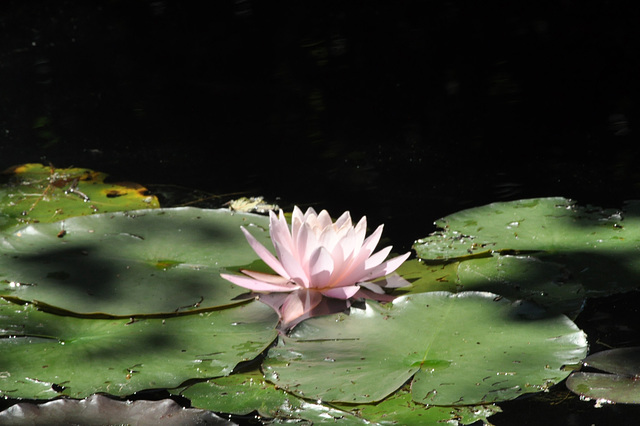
x,y
130,263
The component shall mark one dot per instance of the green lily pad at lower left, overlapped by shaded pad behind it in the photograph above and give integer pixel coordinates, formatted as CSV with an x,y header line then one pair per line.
x,y
43,355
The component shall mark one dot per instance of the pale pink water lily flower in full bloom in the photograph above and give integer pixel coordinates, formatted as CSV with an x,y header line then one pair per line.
x,y
320,265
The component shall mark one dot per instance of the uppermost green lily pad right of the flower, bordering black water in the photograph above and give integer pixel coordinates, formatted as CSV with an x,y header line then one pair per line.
x,y
598,247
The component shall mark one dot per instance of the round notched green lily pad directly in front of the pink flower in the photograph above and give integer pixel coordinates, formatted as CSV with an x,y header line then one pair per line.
x,y
468,348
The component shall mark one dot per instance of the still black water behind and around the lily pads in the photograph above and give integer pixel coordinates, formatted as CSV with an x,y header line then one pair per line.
x,y
403,111
